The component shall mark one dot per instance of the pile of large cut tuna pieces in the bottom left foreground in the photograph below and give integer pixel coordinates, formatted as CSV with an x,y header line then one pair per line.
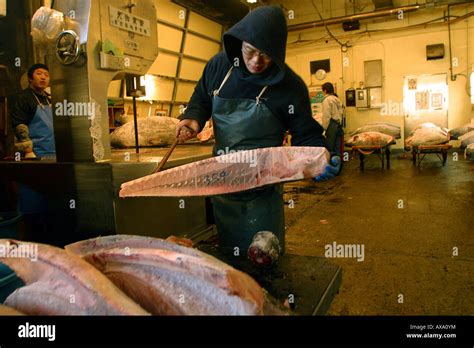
x,y
128,275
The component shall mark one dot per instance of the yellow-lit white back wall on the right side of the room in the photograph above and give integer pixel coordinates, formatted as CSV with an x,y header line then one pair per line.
x,y
403,53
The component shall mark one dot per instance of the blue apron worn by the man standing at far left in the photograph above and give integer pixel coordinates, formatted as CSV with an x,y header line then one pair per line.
x,y
42,135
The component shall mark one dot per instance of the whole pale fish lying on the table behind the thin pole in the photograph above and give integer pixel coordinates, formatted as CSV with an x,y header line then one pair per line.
x,y
152,131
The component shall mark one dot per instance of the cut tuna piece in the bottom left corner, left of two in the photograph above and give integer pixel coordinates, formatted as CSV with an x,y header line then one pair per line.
x,y
61,283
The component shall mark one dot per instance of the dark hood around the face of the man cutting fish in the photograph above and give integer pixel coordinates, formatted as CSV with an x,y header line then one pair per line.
x,y
264,28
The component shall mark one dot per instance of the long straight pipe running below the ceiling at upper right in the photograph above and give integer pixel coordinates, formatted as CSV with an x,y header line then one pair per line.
x,y
338,20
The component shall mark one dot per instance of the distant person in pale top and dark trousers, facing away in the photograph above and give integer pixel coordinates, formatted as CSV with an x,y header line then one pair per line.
x,y
332,119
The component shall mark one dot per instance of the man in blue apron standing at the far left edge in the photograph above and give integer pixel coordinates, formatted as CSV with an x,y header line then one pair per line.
x,y
32,121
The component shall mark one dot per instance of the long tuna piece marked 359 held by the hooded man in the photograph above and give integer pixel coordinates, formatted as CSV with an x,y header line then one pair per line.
x,y
233,172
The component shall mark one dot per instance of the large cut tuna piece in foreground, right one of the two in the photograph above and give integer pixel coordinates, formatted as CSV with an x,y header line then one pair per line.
x,y
169,279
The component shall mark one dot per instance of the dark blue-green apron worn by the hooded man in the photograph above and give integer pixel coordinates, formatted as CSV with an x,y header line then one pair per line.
x,y
244,124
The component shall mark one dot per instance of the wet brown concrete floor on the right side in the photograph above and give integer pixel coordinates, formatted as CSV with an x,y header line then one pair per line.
x,y
408,219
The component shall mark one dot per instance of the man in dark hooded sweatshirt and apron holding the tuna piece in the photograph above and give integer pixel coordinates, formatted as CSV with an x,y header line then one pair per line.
x,y
253,98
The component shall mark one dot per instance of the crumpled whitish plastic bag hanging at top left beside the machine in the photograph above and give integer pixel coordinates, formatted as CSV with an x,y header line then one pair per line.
x,y
46,25
